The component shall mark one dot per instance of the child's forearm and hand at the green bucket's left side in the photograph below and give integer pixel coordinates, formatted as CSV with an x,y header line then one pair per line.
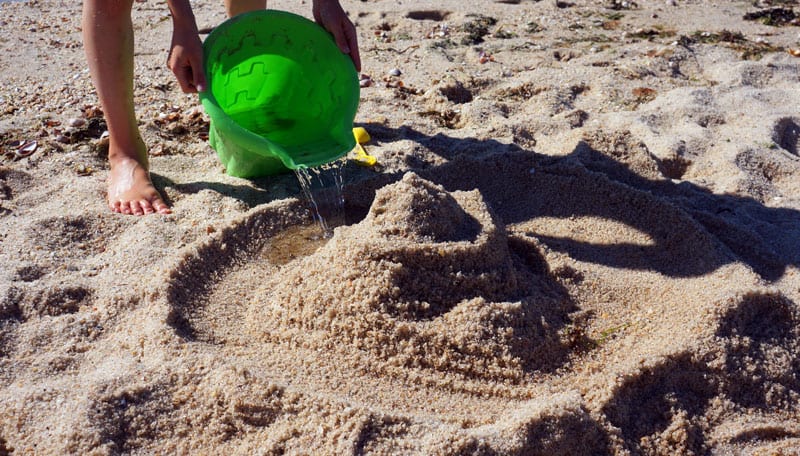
x,y
186,51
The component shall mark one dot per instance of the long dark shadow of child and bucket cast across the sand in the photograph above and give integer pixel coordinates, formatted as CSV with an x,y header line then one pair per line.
x,y
694,230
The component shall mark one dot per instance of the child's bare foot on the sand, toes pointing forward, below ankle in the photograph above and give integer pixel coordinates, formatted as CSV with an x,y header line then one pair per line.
x,y
130,190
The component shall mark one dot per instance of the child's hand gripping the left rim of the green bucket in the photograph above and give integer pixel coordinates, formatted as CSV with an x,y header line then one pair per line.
x,y
186,59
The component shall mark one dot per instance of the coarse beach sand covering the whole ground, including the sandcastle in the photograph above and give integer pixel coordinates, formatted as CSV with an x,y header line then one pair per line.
x,y
583,237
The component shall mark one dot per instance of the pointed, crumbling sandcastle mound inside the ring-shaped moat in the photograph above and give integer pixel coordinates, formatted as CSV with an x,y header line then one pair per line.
x,y
429,282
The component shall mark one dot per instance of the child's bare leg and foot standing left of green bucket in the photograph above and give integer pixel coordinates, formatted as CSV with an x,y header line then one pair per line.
x,y
108,40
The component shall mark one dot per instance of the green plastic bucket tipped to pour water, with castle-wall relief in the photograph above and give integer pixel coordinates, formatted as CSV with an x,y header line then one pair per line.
x,y
280,94
